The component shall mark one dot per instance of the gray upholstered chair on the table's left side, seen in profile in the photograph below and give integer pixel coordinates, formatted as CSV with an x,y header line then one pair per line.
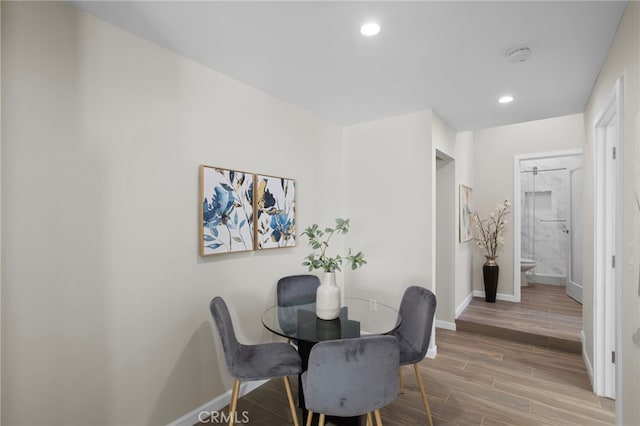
x,y
253,362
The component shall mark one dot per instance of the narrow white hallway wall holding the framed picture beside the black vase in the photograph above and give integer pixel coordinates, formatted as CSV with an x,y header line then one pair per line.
x,y
464,155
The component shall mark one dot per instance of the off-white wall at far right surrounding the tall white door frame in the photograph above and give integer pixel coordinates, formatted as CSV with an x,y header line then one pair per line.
x,y
623,60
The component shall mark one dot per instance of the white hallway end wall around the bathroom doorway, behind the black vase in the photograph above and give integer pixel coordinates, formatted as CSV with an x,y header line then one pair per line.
x,y
494,149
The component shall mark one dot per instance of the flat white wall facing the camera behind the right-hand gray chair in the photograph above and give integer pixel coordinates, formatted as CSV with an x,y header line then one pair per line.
x,y
389,194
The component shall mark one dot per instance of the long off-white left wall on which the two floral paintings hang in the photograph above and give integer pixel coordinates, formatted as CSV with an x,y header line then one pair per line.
x,y
105,316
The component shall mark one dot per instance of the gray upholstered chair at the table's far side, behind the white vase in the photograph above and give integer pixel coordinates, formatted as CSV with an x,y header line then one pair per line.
x,y
293,291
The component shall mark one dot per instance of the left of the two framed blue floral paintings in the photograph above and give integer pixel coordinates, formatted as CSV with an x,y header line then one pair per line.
x,y
226,211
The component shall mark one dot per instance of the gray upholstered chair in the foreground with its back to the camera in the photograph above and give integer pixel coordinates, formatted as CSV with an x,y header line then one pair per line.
x,y
351,377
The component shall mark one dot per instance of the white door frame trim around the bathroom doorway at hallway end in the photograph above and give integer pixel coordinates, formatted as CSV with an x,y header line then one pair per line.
x,y
517,225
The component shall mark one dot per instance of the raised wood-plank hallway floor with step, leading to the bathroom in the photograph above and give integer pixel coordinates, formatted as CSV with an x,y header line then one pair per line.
x,y
545,317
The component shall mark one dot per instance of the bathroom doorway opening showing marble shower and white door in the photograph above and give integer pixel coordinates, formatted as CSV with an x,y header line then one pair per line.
x,y
547,214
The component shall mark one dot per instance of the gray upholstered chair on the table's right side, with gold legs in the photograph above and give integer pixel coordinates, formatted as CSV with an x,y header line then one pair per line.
x,y
417,309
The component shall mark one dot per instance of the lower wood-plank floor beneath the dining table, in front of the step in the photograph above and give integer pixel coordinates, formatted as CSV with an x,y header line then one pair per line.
x,y
475,380
